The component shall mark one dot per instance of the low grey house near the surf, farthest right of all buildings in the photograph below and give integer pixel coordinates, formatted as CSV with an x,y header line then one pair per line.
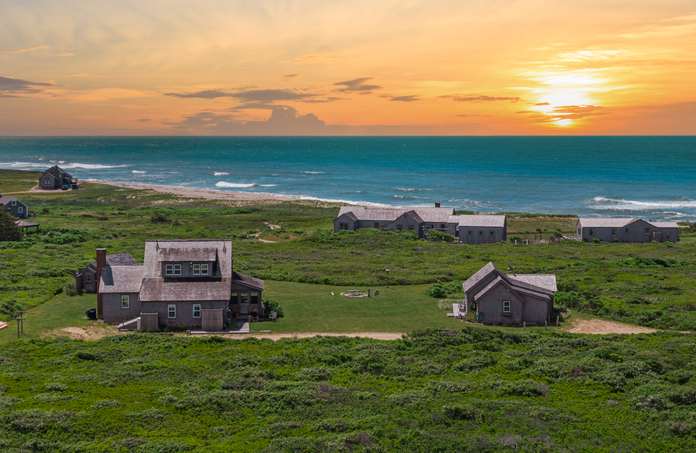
x,y
626,230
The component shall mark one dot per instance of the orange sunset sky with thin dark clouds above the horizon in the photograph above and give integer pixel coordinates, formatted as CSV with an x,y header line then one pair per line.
x,y
334,67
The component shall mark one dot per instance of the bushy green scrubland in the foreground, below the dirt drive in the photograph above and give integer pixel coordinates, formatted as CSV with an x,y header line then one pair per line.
x,y
440,390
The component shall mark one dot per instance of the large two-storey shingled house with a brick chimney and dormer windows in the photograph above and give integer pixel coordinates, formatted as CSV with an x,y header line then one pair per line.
x,y
180,284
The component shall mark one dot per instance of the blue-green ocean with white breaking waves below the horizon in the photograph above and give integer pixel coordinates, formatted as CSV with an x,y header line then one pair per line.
x,y
649,177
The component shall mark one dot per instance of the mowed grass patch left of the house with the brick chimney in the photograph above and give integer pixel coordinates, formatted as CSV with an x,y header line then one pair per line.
x,y
59,312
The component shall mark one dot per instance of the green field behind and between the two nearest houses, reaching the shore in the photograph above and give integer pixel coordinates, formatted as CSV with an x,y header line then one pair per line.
x,y
652,285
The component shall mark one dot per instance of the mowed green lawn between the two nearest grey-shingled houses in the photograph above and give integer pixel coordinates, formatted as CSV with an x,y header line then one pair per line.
x,y
312,308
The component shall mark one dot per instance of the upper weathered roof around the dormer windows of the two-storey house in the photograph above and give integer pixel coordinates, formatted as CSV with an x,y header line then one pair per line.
x,y
187,251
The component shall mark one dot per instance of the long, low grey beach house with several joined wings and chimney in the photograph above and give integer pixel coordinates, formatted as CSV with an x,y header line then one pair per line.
x,y
419,220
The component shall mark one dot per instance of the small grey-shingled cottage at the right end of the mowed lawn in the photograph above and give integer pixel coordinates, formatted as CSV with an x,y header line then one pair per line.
x,y
509,299
